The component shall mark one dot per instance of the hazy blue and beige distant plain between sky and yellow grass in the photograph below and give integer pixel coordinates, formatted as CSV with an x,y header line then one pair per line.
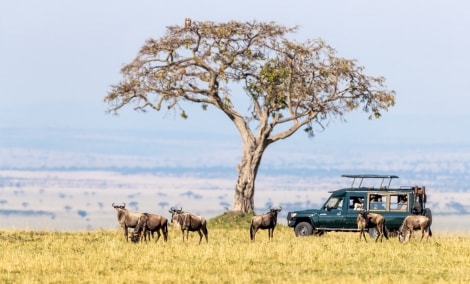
x,y
67,180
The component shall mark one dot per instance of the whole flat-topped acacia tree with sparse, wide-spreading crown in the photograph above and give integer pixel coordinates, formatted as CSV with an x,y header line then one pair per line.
x,y
289,85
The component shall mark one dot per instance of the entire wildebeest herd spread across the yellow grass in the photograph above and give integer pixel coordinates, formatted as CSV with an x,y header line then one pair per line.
x,y
146,224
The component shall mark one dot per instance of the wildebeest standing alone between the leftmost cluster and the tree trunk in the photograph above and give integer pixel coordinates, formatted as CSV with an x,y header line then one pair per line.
x,y
189,223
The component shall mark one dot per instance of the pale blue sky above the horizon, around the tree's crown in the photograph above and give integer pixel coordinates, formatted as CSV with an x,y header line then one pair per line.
x,y
59,58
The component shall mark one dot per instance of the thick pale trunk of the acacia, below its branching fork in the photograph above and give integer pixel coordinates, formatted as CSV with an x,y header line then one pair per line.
x,y
247,171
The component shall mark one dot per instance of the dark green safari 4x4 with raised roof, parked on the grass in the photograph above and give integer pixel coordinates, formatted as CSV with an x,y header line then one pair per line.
x,y
339,213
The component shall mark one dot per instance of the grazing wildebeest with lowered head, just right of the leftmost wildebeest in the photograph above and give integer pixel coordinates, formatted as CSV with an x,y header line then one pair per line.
x,y
150,223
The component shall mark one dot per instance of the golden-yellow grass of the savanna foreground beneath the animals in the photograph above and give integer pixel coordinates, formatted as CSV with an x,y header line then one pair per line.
x,y
103,256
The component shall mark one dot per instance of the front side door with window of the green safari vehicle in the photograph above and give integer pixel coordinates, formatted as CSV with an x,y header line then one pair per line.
x,y
332,215
